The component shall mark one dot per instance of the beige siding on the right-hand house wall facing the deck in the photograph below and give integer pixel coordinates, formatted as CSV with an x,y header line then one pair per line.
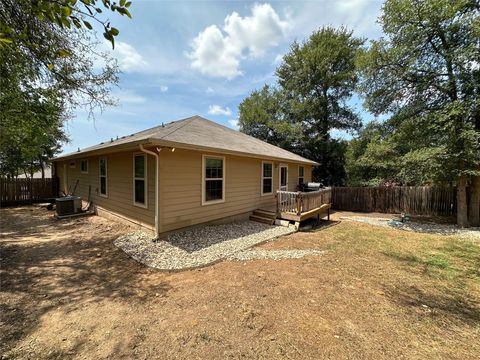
x,y
181,188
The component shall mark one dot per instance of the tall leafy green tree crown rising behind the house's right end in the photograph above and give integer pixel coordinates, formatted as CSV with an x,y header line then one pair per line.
x,y
319,77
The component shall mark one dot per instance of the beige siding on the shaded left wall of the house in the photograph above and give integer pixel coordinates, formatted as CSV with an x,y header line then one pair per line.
x,y
119,185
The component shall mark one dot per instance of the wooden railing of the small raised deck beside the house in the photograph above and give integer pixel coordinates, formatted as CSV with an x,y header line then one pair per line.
x,y
302,202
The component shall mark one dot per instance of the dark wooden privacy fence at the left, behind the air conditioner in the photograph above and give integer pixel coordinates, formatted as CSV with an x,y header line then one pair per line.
x,y
27,191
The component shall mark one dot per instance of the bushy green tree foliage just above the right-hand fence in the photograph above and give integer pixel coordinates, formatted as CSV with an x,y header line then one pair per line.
x,y
388,152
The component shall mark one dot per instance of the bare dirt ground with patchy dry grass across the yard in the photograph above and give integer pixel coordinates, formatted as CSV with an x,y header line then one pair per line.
x,y
377,293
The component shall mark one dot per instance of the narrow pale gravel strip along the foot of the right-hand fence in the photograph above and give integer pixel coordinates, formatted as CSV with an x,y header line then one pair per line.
x,y
439,229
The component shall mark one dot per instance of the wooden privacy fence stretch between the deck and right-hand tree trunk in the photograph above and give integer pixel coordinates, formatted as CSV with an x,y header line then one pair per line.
x,y
419,200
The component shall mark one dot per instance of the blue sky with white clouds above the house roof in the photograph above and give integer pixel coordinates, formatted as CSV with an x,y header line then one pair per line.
x,y
183,58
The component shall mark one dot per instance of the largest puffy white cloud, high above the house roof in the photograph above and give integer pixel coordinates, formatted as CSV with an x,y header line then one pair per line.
x,y
218,53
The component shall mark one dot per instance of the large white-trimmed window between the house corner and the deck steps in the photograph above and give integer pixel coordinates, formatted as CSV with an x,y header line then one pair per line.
x,y
213,179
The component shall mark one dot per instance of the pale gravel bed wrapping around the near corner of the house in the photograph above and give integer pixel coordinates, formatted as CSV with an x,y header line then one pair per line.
x,y
197,247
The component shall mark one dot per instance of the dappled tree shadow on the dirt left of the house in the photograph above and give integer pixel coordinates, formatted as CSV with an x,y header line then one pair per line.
x,y
46,265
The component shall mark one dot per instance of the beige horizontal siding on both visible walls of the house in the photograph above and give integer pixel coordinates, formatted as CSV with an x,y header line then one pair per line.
x,y
180,187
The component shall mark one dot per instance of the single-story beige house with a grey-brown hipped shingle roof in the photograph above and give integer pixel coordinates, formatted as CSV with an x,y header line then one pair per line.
x,y
182,173
